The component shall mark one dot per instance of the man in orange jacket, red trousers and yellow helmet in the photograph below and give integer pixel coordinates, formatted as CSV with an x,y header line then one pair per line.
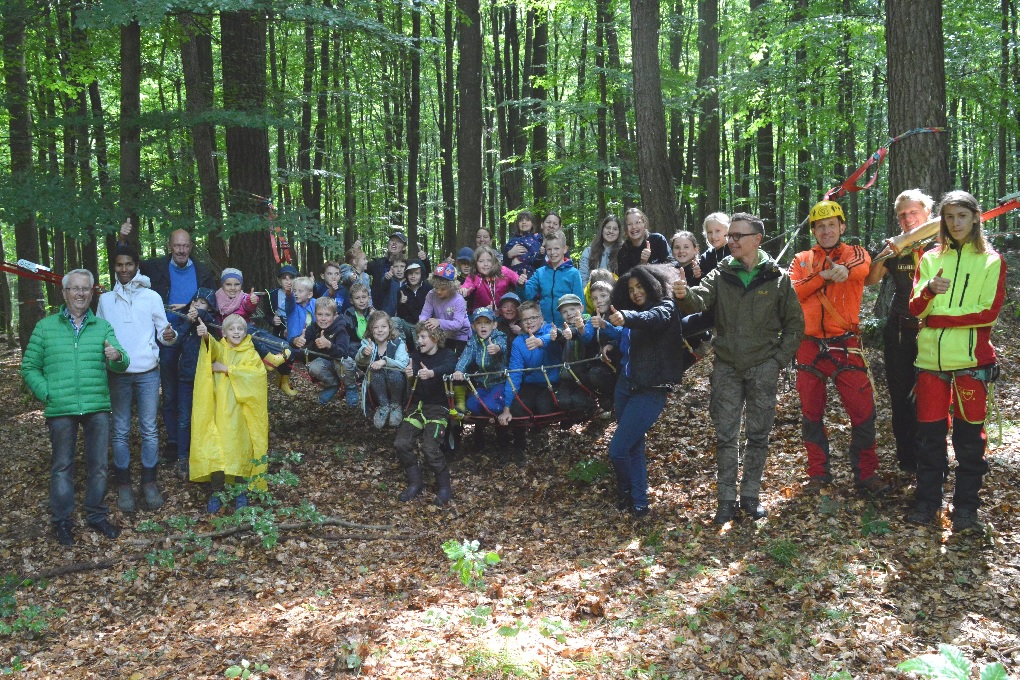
x,y
830,283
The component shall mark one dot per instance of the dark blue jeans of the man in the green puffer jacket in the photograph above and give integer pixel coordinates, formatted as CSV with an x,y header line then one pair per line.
x,y
64,438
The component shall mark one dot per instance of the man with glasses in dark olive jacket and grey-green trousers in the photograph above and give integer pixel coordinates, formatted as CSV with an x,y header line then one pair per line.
x,y
759,325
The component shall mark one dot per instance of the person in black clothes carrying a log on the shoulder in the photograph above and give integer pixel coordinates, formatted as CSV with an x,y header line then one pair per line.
x,y
913,208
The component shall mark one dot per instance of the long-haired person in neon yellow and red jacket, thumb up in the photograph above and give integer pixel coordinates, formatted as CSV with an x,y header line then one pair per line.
x,y
958,293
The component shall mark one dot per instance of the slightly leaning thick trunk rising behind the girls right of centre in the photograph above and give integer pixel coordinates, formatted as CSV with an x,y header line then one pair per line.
x,y
653,160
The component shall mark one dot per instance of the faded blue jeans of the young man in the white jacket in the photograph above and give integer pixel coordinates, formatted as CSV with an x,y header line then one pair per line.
x,y
142,389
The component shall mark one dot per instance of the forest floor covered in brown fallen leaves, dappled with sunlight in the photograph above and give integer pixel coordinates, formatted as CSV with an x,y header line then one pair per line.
x,y
829,587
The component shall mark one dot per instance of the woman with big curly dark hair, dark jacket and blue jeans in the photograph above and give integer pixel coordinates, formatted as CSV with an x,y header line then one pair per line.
x,y
651,365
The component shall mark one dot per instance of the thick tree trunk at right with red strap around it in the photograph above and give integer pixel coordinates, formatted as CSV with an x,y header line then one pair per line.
x,y
916,78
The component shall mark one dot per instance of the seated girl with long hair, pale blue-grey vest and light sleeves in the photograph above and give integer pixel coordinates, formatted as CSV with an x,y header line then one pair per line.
x,y
384,357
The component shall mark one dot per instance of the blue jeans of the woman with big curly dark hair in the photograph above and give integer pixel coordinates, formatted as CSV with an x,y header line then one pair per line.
x,y
637,411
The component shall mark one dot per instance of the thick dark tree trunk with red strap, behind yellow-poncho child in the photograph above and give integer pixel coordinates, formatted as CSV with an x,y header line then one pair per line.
x,y
249,184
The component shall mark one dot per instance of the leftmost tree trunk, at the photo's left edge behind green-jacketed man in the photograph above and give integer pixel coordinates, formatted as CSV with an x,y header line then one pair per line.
x,y
30,292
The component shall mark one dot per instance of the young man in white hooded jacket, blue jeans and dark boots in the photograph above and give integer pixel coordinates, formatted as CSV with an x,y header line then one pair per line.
x,y
136,313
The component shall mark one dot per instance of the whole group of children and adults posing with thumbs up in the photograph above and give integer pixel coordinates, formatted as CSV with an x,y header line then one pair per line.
x,y
526,332
